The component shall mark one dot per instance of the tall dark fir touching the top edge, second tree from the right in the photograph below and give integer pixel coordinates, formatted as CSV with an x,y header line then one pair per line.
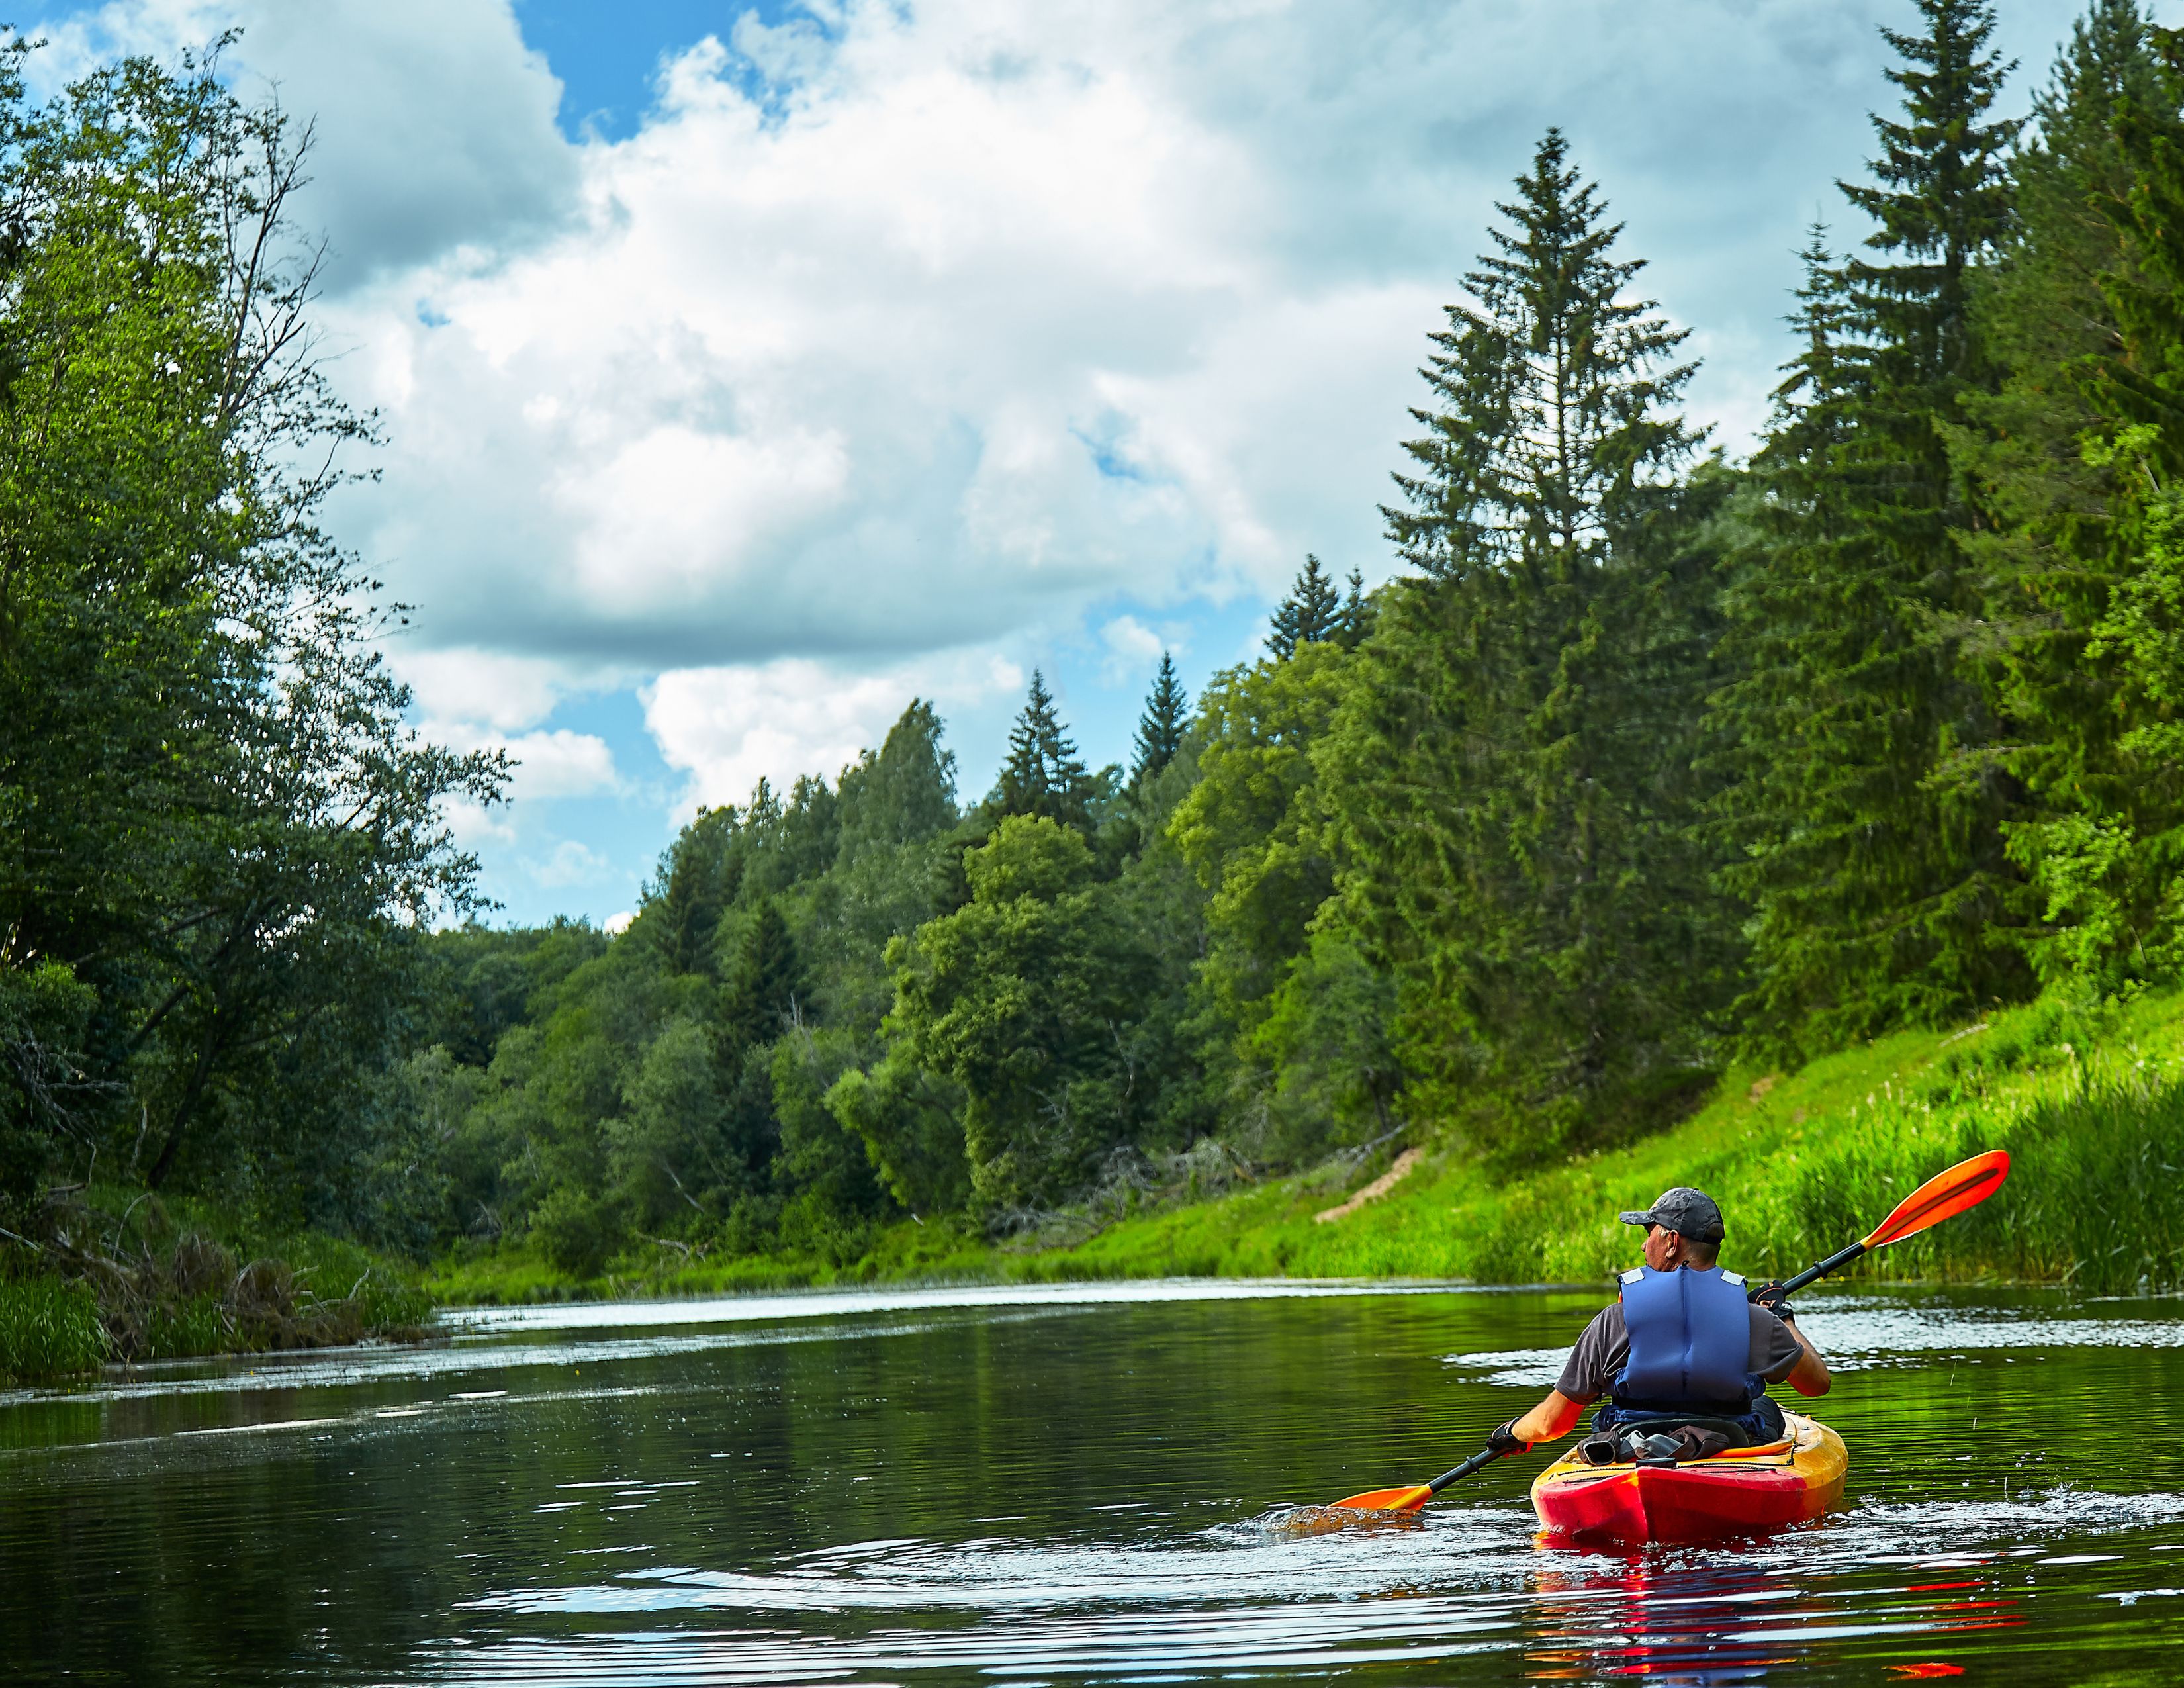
x,y
1871,800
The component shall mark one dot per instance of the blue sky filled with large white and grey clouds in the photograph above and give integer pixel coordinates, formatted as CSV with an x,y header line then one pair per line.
x,y
748,372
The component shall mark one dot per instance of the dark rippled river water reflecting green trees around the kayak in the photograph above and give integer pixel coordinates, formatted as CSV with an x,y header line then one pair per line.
x,y
1071,1486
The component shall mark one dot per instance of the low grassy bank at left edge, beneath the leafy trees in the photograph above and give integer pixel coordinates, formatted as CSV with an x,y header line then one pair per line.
x,y
121,1276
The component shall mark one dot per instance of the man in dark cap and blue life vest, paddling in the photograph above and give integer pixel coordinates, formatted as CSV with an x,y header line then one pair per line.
x,y
1683,1342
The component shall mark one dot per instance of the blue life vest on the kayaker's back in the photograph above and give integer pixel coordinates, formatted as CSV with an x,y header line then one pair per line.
x,y
1692,1344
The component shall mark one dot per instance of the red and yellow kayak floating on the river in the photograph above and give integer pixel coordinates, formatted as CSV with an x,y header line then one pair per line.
x,y
1740,1493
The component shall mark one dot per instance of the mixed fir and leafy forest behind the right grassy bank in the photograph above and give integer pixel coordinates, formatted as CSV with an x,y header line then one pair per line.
x,y
1646,761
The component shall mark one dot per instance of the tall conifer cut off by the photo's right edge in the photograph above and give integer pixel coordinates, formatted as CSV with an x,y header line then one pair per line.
x,y
2076,457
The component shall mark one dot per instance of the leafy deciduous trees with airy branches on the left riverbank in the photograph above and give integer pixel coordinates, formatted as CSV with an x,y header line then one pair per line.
x,y
219,844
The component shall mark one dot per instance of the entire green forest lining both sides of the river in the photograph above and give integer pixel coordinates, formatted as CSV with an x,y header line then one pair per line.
x,y
1643,763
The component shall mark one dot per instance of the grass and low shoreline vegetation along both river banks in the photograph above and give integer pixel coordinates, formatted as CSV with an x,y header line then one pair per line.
x,y
2087,1102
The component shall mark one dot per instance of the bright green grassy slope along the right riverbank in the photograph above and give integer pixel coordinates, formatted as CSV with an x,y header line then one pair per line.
x,y
2089,1102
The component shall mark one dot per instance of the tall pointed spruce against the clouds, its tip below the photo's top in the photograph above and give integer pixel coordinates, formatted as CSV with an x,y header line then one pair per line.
x,y
1510,770
